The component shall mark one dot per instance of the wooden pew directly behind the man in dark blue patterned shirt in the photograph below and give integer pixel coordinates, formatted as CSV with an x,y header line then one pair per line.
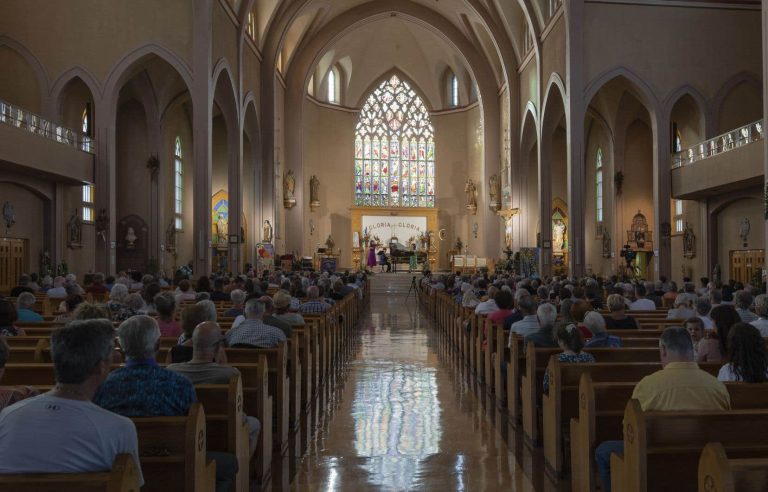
x,y
172,453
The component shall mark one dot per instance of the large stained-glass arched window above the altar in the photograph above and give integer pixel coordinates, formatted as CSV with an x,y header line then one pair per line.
x,y
394,149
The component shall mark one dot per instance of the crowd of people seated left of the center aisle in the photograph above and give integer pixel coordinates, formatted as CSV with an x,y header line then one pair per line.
x,y
85,418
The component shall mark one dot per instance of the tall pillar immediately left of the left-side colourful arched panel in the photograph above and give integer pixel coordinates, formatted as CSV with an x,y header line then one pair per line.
x,y
202,114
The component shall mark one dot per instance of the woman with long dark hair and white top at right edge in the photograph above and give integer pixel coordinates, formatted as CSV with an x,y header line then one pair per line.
x,y
747,356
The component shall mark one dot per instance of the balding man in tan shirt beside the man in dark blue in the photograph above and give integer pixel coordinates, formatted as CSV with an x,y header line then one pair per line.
x,y
208,366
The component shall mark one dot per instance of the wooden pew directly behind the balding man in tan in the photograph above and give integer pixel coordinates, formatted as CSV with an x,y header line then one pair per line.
x,y
225,424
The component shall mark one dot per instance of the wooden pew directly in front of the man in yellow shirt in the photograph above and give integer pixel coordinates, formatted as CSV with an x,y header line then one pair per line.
x,y
601,412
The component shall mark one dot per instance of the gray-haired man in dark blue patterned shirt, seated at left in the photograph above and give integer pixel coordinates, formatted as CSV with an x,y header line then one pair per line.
x,y
143,389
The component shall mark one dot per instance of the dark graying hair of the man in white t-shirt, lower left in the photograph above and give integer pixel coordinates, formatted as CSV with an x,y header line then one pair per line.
x,y
79,347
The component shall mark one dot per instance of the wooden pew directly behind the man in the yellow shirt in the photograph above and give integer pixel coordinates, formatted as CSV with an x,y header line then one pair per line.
x,y
662,449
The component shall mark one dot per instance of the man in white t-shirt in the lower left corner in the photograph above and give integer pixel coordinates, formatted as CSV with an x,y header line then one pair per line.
x,y
62,431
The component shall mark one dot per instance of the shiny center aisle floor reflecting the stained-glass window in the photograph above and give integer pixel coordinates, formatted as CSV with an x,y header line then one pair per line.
x,y
403,418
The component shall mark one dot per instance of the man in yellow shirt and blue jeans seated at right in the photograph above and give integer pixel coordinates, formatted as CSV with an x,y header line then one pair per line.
x,y
680,385
